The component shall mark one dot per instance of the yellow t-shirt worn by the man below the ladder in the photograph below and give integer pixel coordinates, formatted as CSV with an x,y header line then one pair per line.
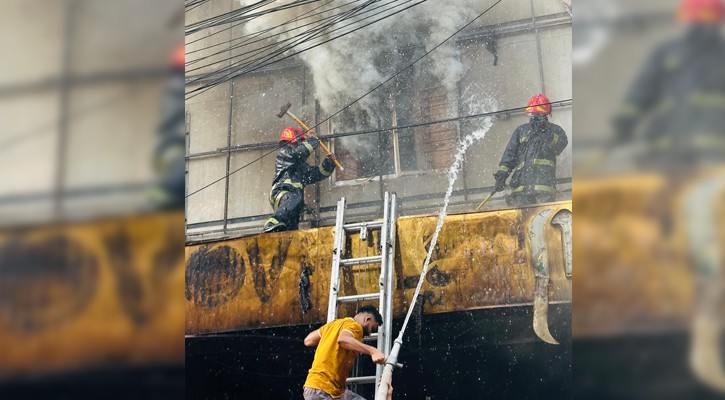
x,y
332,363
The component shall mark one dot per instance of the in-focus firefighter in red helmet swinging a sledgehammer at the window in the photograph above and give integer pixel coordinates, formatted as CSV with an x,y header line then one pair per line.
x,y
292,173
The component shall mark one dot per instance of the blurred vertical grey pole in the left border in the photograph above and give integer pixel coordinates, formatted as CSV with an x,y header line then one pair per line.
x,y
61,150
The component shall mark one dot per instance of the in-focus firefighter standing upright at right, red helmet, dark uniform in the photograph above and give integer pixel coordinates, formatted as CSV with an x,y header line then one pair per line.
x,y
530,157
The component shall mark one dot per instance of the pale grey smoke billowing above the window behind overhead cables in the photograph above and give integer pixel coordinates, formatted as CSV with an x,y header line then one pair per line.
x,y
346,68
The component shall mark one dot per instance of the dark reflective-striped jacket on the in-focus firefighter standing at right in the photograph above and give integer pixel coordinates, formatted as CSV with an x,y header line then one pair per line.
x,y
530,156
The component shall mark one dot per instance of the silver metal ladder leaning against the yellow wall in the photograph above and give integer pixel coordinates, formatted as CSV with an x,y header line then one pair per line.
x,y
385,282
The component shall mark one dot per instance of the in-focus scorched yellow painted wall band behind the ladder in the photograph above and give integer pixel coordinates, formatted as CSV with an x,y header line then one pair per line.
x,y
481,260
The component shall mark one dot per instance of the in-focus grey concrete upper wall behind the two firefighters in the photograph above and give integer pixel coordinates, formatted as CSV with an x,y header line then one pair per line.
x,y
258,97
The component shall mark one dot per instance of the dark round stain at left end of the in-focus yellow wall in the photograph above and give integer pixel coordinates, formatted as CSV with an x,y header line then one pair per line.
x,y
214,275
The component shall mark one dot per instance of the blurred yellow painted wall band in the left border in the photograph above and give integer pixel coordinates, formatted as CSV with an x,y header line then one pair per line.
x,y
97,293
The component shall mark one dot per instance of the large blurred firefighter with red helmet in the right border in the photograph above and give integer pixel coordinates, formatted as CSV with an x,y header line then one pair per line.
x,y
682,90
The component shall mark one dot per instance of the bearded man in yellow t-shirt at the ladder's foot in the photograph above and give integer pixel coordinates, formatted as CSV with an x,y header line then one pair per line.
x,y
338,343
